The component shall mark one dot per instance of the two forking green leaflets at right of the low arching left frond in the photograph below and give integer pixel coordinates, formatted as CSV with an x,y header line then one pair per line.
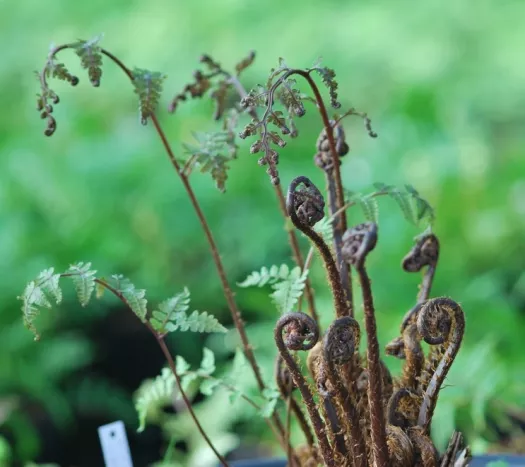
x,y
171,315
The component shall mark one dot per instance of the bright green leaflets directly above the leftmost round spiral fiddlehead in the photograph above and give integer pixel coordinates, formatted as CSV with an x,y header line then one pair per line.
x,y
288,285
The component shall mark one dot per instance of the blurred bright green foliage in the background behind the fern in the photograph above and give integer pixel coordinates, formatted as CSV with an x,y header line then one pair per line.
x,y
443,82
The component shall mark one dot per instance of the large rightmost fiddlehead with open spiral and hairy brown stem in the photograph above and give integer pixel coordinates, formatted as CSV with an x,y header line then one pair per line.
x,y
441,321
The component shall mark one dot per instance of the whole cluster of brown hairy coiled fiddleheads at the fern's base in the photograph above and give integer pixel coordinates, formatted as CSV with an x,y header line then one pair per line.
x,y
361,415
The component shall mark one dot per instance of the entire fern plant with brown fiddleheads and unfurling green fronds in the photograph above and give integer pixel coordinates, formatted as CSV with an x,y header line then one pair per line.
x,y
351,410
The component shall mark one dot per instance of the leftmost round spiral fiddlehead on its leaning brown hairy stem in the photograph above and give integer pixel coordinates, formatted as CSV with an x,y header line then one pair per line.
x,y
302,333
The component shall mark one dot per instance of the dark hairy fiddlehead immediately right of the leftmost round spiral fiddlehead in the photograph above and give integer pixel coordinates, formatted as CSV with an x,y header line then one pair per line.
x,y
339,345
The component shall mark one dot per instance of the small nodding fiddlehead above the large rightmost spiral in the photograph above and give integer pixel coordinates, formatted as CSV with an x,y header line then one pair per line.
x,y
424,253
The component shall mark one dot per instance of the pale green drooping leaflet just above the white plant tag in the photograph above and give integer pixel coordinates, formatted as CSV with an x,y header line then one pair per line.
x,y
153,395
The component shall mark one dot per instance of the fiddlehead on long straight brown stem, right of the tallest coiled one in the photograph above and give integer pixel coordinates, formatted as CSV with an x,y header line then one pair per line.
x,y
357,243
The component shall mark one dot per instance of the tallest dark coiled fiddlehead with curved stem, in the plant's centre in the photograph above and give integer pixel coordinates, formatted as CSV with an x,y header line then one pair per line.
x,y
305,206
